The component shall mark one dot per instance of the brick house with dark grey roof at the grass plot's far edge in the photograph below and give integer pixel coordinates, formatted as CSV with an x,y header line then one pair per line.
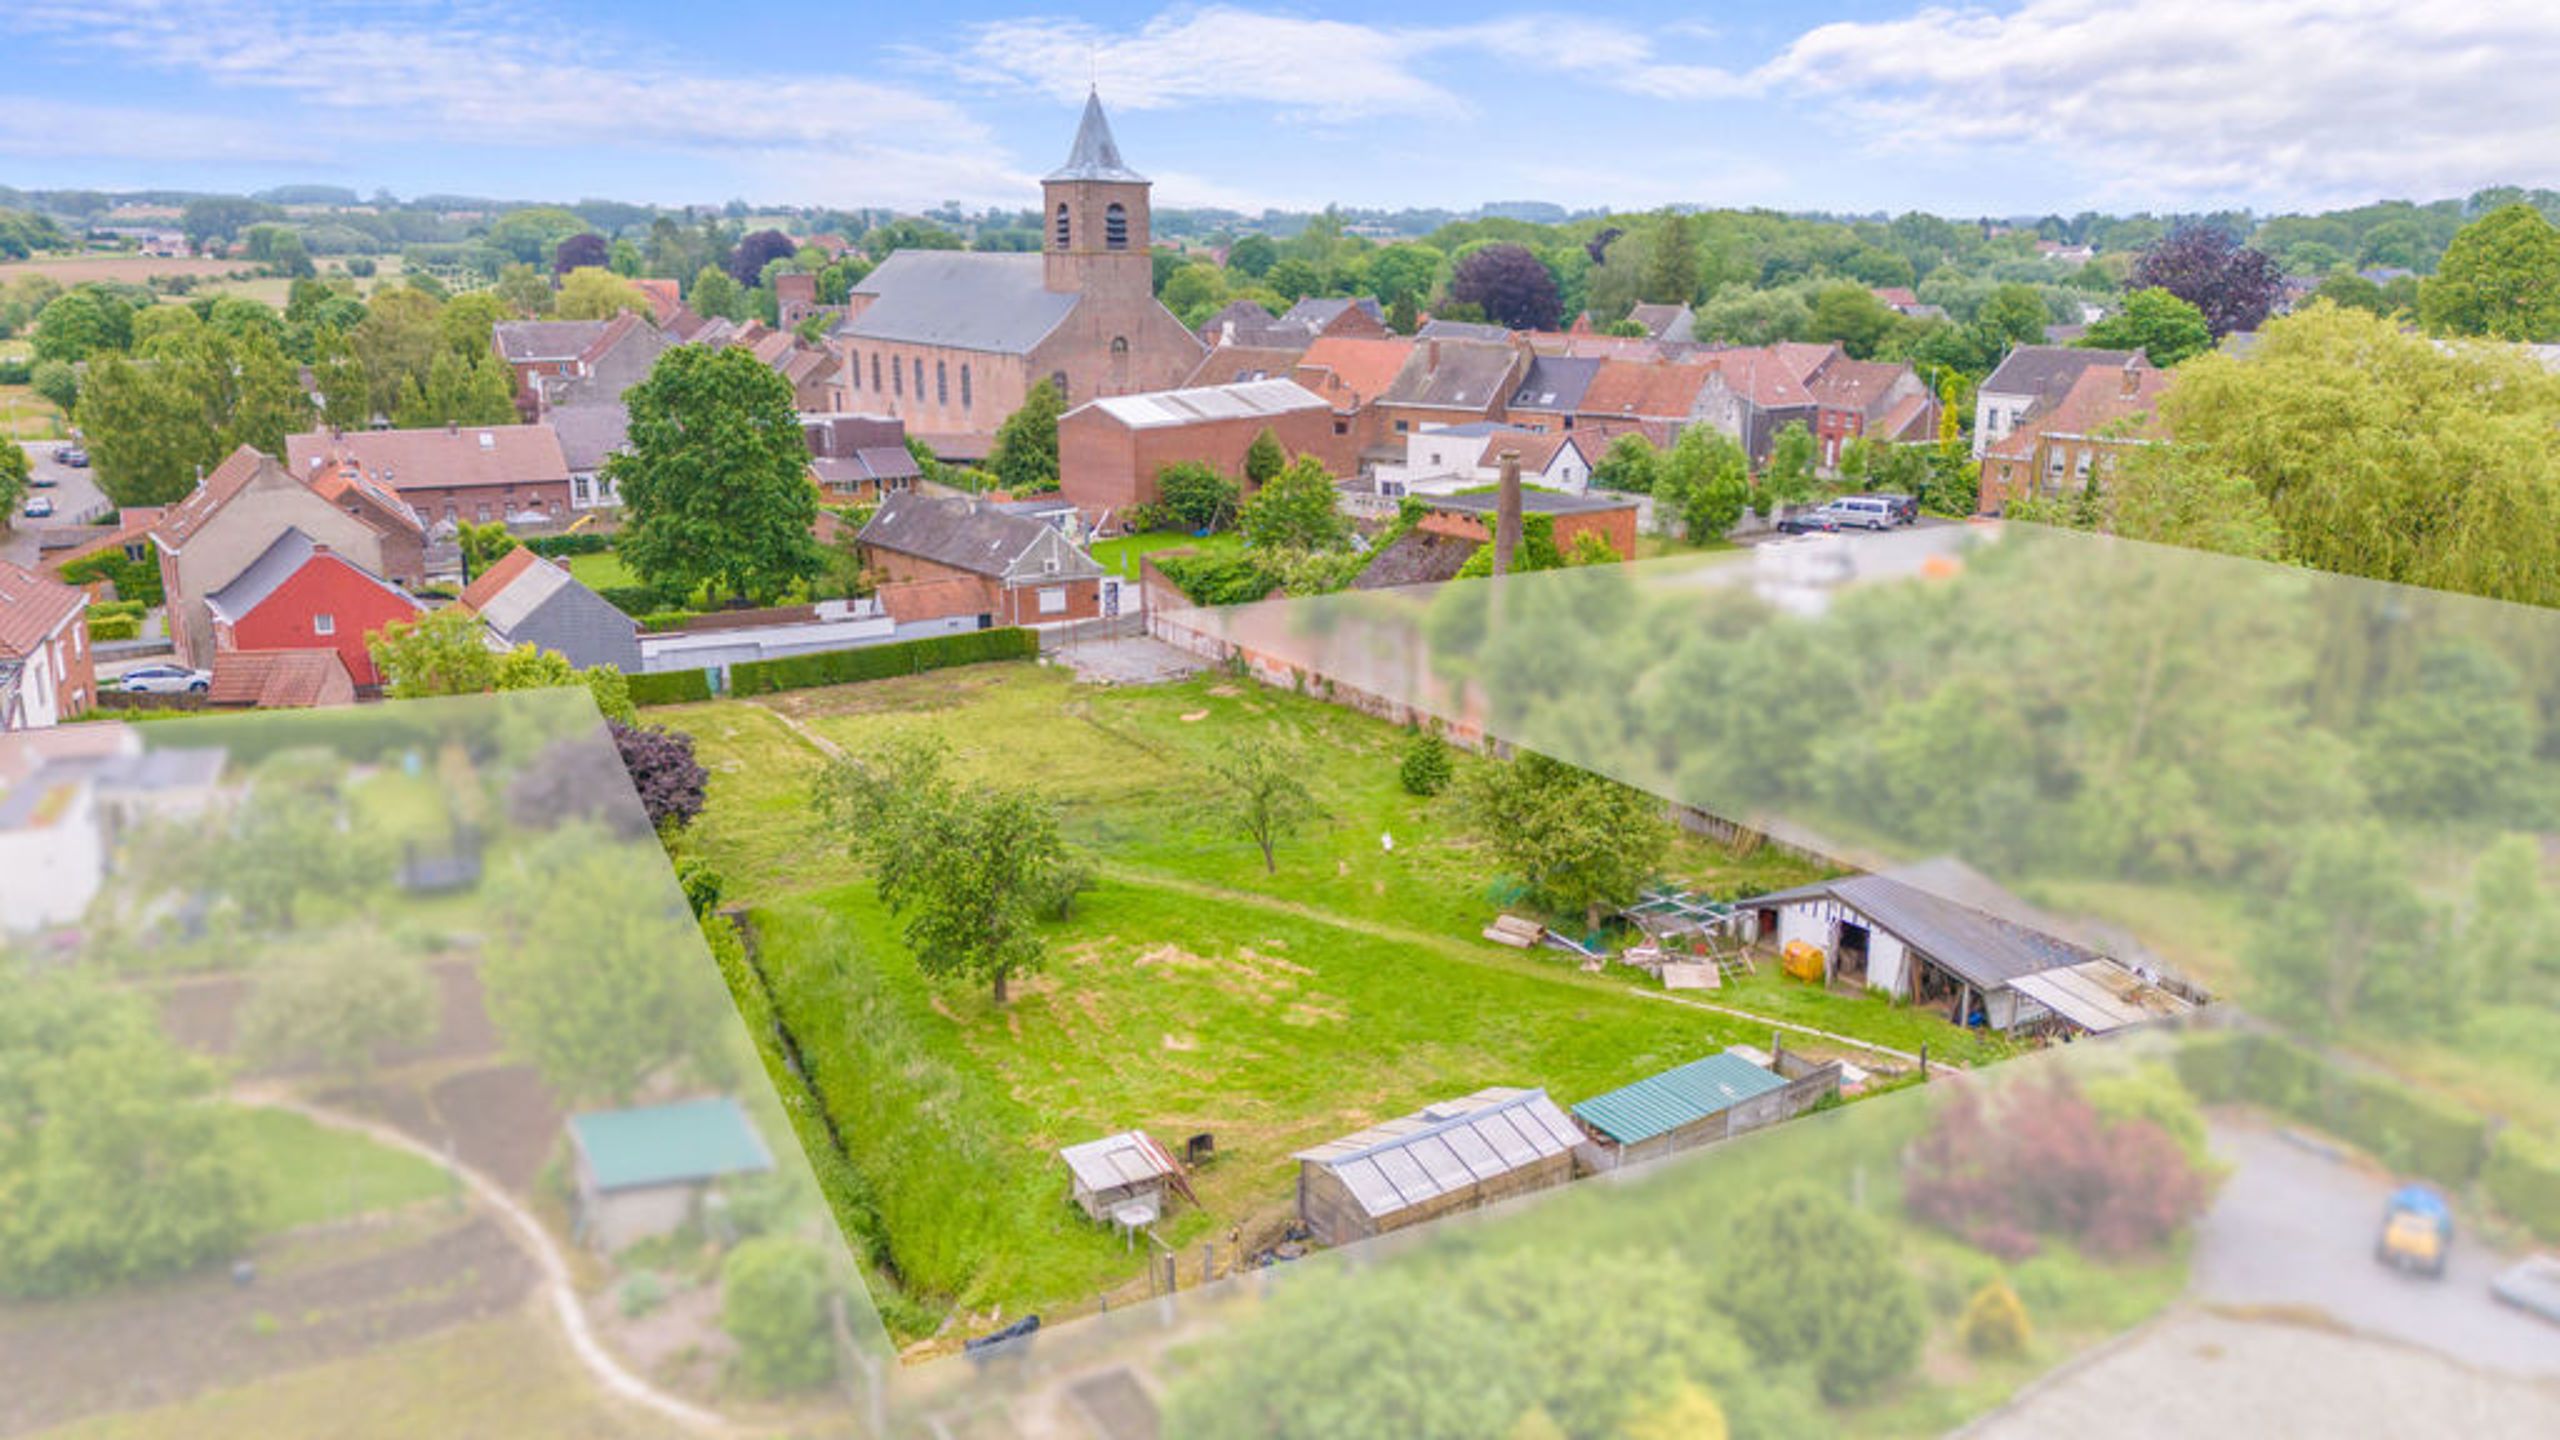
x,y
961,557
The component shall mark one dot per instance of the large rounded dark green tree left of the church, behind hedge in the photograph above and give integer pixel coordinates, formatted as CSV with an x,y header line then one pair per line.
x,y
716,478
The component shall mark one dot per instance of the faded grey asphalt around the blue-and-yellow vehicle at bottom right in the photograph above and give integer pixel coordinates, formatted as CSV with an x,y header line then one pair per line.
x,y
2295,1229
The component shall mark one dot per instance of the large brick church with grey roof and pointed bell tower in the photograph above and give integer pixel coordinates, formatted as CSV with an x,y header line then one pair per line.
x,y
951,342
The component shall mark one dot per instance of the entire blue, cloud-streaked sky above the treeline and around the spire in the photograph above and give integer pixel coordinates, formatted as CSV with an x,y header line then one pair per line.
x,y
2006,106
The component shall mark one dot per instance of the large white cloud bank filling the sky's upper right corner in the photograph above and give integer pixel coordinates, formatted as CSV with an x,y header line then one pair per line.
x,y
2195,101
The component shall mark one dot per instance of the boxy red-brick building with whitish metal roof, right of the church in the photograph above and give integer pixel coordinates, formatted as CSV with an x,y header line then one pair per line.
x,y
1112,450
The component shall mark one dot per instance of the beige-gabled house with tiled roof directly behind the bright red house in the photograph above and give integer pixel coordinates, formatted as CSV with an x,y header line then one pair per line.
x,y
239,511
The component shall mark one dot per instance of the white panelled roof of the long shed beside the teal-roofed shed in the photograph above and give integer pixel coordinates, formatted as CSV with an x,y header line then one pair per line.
x,y
1445,1149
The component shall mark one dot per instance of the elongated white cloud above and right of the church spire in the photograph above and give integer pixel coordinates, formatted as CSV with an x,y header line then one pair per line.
x,y
1327,70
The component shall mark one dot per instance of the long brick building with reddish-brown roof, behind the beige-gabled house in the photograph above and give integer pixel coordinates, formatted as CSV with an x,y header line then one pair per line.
x,y
452,475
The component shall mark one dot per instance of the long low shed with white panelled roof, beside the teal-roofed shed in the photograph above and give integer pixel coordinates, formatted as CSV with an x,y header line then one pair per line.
x,y
1443,1159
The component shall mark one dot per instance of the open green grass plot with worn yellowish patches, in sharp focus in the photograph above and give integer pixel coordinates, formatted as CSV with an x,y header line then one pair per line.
x,y
1189,993
